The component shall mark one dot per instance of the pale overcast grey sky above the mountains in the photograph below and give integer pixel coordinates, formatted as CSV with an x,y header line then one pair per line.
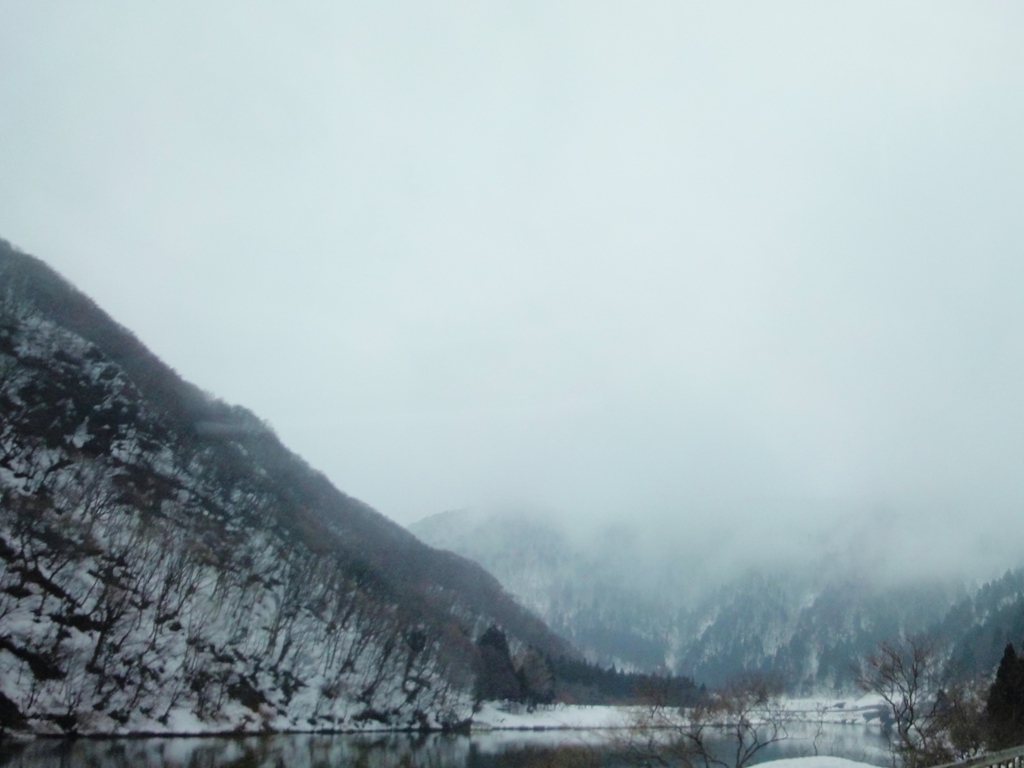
x,y
606,259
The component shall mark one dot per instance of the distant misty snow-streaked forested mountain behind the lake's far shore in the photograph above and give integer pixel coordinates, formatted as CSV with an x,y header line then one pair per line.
x,y
622,602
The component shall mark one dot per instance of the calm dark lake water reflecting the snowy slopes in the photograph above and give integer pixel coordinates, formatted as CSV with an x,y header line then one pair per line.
x,y
494,750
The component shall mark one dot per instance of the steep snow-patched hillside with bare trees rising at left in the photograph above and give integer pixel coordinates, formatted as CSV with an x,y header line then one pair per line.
x,y
166,565
